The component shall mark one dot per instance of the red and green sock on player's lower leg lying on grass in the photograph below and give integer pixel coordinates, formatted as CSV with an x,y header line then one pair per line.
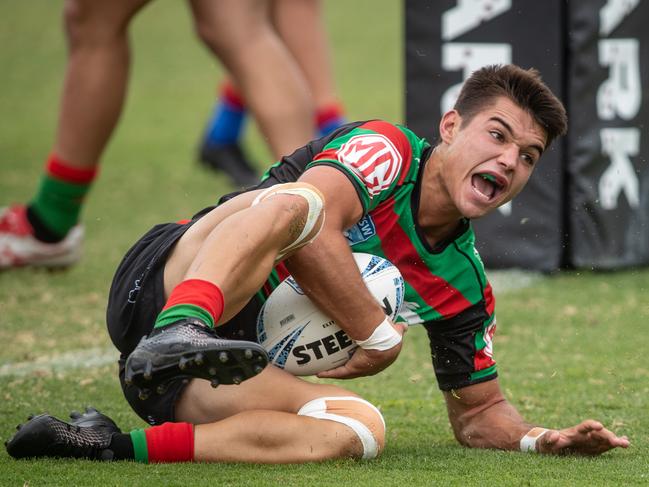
x,y
169,442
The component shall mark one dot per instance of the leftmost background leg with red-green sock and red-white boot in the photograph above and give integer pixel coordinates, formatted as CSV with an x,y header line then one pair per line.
x,y
46,232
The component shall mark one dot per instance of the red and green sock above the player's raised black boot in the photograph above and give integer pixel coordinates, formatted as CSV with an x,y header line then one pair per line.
x,y
193,298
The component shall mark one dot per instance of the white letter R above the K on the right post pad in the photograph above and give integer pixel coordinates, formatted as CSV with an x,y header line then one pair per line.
x,y
621,93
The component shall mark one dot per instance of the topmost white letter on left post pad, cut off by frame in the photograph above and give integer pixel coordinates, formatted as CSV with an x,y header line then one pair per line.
x,y
469,14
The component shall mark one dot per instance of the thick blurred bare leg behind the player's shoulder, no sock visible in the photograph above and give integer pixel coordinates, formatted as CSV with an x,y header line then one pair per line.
x,y
241,35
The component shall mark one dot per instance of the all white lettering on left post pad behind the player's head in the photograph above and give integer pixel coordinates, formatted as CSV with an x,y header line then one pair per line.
x,y
469,56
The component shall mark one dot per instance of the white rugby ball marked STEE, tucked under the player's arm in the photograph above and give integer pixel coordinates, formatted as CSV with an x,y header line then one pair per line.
x,y
301,339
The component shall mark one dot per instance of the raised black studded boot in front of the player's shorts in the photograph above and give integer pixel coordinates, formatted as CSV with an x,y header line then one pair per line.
x,y
190,349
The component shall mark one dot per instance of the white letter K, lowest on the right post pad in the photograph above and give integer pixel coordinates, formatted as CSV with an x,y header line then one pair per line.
x,y
620,176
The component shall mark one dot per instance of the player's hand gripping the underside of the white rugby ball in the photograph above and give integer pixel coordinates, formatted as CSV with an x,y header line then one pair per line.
x,y
366,362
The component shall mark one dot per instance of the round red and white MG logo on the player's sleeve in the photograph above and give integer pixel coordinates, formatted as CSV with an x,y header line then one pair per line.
x,y
374,159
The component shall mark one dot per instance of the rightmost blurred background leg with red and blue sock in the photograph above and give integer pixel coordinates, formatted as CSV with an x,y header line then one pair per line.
x,y
300,25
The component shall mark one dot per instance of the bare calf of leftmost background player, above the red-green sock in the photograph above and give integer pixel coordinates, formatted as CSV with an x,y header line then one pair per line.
x,y
96,76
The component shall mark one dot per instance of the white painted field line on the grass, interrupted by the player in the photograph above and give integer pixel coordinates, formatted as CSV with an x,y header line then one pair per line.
x,y
501,280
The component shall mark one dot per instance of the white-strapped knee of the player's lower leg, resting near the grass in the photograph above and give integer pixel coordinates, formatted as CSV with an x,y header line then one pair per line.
x,y
365,427
